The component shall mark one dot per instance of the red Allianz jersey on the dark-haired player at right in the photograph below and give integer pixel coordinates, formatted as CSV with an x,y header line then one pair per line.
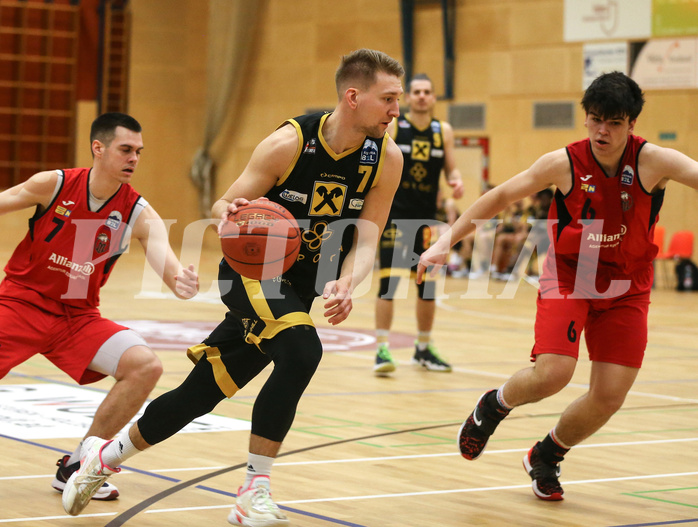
x,y
624,239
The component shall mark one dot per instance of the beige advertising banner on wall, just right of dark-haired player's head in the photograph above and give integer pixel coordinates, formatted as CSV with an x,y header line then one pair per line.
x,y
665,63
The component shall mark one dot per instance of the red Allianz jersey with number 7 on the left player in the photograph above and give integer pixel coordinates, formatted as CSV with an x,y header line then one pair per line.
x,y
69,251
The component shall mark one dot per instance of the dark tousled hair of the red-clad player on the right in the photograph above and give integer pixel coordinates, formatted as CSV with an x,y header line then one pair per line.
x,y
614,95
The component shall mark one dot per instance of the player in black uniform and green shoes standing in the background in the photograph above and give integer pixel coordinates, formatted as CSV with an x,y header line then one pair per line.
x,y
428,148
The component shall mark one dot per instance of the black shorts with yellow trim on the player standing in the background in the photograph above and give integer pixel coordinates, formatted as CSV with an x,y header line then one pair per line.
x,y
398,261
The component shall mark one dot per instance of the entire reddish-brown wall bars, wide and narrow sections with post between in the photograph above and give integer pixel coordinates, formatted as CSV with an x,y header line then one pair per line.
x,y
52,54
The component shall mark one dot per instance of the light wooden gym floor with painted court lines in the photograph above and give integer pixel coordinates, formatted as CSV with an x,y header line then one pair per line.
x,y
381,452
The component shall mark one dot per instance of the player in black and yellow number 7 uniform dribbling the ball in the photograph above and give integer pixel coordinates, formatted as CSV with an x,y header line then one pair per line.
x,y
335,172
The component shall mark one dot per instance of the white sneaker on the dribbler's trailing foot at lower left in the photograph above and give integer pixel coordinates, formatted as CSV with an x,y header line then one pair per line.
x,y
88,479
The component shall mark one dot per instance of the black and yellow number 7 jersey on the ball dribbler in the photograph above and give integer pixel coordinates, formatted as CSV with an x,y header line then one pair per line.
x,y
320,188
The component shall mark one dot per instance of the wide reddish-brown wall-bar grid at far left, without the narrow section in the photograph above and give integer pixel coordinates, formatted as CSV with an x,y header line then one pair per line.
x,y
38,79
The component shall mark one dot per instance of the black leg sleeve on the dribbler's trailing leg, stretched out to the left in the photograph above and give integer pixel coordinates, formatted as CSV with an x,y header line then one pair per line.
x,y
168,414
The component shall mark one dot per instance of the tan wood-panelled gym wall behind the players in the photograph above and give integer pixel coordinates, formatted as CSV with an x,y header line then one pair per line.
x,y
509,54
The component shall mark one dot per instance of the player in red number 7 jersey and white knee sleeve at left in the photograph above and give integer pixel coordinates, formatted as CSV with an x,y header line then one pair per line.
x,y
50,294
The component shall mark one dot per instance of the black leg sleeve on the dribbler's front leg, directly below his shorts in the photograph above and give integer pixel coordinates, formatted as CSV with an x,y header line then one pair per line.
x,y
296,353
